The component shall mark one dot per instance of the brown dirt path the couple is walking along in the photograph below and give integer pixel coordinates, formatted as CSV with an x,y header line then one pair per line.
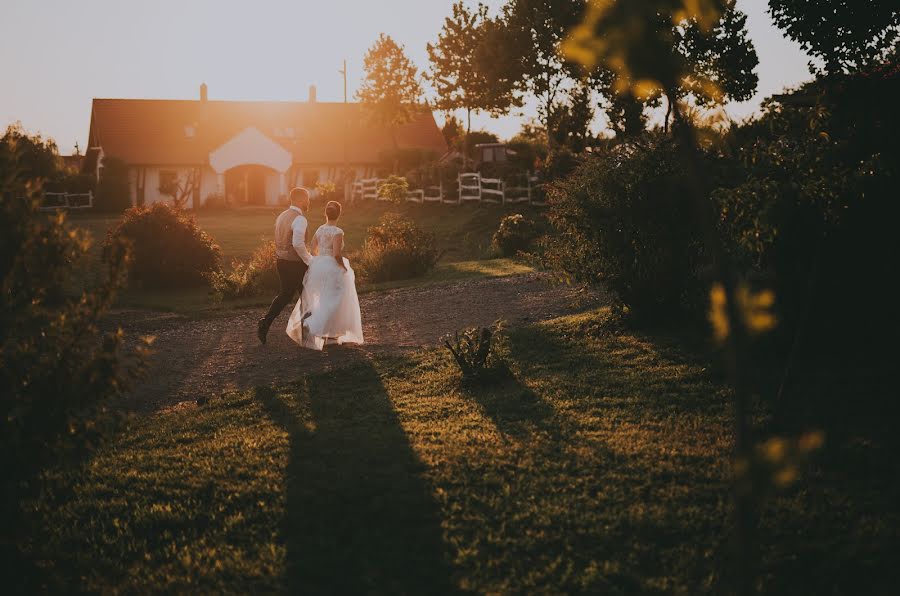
x,y
203,357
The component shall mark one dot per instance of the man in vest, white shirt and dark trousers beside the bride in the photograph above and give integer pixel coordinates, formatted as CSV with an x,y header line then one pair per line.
x,y
292,257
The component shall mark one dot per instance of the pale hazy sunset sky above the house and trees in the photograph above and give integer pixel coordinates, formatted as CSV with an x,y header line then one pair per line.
x,y
56,55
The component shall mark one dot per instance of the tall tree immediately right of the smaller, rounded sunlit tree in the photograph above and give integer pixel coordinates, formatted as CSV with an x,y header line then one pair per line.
x,y
455,59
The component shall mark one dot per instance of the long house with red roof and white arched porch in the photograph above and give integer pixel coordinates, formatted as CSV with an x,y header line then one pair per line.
x,y
250,152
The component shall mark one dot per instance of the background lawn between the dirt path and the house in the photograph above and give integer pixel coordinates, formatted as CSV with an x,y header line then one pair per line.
x,y
463,235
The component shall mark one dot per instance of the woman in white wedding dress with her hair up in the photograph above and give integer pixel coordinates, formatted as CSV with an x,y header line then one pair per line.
x,y
328,309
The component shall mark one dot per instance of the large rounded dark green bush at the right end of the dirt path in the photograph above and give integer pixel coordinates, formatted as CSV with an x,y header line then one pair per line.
x,y
625,218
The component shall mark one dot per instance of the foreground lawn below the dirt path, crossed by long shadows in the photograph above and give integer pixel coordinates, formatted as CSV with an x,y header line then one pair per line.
x,y
600,465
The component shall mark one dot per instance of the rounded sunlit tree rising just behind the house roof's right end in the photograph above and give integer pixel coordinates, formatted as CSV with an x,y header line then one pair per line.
x,y
391,89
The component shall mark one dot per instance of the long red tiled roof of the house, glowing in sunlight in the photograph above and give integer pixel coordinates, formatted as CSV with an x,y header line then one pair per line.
x,y
154,132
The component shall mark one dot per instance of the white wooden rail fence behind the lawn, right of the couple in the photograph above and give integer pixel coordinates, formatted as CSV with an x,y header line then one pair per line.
x,y
471,187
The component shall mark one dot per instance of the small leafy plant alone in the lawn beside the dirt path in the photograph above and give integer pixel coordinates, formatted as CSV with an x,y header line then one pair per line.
x,y
478,351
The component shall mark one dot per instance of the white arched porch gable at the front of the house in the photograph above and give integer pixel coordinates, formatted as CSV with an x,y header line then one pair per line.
x,y
251,147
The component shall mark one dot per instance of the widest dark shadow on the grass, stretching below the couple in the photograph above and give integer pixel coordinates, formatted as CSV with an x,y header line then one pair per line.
x,y
360,519
